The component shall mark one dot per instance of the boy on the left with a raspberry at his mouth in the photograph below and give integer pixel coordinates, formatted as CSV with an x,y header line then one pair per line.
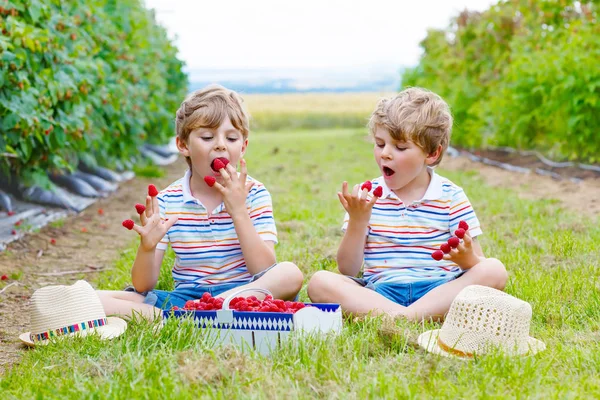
x,y
219,222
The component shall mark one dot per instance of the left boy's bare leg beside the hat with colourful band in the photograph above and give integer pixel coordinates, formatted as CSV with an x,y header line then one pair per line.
x,y
125,304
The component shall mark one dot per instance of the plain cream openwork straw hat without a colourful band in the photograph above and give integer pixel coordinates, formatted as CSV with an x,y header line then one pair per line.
x,y
482,319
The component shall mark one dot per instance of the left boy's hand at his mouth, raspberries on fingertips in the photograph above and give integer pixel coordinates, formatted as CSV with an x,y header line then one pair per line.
x,y
234,189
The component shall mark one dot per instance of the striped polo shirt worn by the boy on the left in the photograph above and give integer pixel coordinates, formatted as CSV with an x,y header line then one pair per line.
x,y
207,250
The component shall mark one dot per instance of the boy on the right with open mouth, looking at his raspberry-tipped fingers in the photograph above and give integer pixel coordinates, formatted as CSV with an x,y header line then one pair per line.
x,y
410,212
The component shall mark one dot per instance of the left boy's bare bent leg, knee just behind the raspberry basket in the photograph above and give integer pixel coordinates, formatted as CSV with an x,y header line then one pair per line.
x,y
284,281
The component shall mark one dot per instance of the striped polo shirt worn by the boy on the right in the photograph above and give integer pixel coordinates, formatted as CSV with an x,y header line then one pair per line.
x,y
401,238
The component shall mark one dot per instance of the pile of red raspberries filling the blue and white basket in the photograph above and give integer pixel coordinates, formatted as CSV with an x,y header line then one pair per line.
x,y
209,303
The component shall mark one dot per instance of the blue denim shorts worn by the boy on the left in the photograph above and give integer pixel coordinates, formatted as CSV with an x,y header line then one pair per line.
x,y
165,300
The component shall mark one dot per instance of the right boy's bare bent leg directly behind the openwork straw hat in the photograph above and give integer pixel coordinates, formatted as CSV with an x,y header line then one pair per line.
x,y
435,304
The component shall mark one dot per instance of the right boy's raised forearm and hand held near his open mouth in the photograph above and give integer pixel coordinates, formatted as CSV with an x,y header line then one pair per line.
x,y
351,251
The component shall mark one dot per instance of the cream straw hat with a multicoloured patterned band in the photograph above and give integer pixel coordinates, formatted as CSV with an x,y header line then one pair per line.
x,y
59,311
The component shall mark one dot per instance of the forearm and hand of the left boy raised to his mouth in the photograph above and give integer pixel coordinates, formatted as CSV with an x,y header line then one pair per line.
x,y
258,253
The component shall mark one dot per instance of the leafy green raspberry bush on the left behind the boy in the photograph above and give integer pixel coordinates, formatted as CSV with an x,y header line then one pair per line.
x,y
82,81
